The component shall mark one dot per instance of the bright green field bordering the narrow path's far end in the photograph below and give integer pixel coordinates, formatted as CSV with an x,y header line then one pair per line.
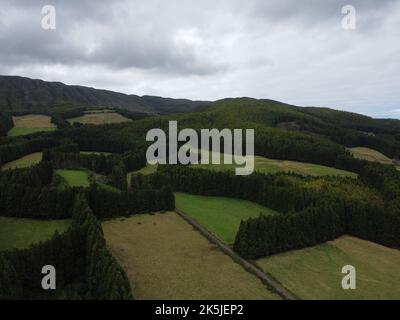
x,y
221,216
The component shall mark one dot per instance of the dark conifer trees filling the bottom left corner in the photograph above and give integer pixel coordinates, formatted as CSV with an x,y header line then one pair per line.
x,y
85,268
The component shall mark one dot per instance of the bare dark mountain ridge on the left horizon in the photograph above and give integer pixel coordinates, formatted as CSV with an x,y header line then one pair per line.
x,y
25,94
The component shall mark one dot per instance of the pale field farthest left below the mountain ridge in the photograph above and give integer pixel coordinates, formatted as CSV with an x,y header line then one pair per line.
x,y
31,123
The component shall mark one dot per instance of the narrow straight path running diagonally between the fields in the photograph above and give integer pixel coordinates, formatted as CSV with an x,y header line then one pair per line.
x,y
248,266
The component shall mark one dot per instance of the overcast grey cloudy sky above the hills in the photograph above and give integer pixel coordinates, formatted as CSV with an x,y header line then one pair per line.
x,y
293,51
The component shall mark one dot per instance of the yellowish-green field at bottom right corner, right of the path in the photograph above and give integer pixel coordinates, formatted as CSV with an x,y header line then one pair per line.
x,y
315,273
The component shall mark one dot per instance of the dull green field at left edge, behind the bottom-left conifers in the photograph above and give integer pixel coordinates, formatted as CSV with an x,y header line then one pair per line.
x,y
21,233
